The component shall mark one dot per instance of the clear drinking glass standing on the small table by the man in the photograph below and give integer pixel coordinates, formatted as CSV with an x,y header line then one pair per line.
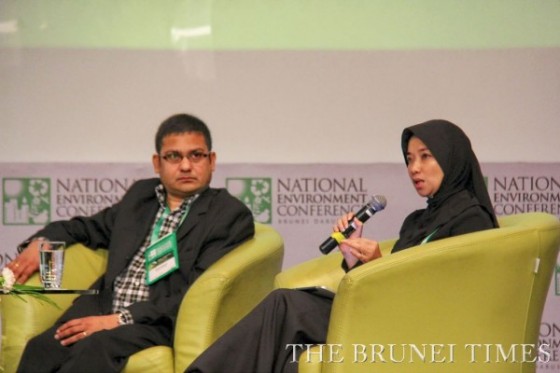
x,y
51,259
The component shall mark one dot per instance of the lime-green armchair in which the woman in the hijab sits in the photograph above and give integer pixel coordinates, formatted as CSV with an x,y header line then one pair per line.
x,y
437,306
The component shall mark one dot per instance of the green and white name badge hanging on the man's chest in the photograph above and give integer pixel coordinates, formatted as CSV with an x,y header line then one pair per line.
x,y
161,258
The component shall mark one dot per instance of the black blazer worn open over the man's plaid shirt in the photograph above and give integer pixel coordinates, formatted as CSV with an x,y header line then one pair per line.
x,y
216,224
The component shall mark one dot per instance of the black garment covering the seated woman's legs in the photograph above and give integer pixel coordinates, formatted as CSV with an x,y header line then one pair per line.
x,y
260,342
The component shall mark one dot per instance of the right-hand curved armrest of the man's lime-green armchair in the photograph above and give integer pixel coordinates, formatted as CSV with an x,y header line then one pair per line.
x,y
226,292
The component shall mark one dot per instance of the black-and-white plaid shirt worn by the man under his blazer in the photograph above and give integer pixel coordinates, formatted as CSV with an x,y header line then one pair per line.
x,y
130,286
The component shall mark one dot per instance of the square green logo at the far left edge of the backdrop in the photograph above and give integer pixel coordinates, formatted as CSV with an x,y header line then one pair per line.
x,y
26,201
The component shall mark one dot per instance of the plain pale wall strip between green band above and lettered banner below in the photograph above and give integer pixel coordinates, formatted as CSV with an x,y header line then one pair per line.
x,y
89,105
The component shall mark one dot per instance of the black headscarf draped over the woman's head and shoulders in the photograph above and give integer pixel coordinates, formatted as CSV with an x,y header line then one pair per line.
x,y
462,186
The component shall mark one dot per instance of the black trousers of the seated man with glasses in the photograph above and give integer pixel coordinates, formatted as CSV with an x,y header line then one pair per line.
x,y
103,351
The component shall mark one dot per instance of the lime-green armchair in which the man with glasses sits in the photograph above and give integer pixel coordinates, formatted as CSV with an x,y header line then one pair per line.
x,y
228,290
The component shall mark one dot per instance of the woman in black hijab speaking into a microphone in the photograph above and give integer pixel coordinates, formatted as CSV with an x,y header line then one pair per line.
x,y
443,168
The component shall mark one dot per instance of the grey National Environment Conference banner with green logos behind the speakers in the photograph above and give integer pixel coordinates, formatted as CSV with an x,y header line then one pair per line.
x,y
301,201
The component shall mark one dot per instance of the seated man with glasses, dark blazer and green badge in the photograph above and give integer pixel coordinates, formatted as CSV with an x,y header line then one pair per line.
x,y
141,291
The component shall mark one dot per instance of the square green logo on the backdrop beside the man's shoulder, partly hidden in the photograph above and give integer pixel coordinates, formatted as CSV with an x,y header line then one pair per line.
x,y
255,193
